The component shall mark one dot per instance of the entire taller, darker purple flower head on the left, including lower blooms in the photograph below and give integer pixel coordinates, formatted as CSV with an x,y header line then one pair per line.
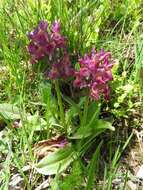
x,y
50,44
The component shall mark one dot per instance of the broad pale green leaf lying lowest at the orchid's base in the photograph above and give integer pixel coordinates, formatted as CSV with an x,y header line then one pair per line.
x,y
56,162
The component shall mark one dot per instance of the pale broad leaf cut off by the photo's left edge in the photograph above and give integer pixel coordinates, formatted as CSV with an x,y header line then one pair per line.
x,y
9,111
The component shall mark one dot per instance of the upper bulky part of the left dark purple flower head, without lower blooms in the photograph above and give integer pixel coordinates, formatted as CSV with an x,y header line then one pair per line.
x,y
43,43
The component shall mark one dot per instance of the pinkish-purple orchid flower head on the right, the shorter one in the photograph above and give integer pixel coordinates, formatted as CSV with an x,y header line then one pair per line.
x,y
95,74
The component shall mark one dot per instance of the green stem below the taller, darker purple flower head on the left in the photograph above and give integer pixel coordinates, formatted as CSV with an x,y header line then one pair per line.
x,y
62,117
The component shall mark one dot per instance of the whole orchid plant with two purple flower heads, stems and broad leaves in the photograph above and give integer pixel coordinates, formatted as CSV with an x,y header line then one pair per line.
x,y
93,75
